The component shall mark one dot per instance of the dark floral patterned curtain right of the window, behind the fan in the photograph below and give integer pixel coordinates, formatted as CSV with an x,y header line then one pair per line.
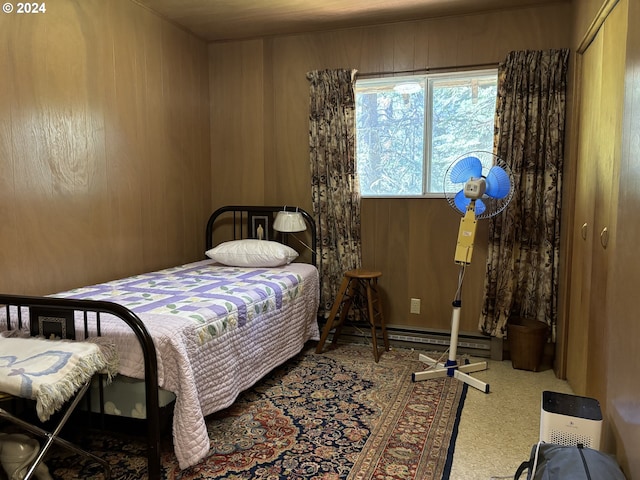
x,y
522,266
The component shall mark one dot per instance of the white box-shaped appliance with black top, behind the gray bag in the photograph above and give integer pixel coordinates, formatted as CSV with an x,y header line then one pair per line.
x,y
570,420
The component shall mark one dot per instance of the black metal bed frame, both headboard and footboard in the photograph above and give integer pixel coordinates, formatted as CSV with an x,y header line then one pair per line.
x,y
240,216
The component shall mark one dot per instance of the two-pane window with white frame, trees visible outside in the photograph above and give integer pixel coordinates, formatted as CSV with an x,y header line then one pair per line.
x,y
409,129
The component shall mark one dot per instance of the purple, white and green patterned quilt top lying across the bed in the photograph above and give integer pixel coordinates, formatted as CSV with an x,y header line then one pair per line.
x,y
216,299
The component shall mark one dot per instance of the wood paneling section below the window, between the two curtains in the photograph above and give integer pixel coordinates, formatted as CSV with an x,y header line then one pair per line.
x,y
413,243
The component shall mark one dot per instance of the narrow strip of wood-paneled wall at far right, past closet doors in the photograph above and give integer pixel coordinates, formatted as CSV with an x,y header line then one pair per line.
x,y
623,388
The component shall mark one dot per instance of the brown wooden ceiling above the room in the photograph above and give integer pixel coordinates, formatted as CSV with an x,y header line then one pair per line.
x,y
219,20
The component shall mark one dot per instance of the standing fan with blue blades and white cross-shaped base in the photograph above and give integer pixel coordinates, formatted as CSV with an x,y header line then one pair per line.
x,y
477,185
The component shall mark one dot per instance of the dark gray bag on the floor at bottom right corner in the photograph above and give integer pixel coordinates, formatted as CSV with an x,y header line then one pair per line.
x,y
564,462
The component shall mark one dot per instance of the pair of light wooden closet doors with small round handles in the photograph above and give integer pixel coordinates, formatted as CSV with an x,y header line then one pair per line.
x,y
599,137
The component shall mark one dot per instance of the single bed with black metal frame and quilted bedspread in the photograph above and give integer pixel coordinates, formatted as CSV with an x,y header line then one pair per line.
x,y
203,331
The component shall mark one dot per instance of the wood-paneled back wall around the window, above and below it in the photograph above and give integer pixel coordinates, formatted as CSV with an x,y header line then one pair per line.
x,y
259,96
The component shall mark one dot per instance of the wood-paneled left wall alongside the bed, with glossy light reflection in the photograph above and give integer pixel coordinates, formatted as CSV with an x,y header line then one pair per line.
x,y
104,145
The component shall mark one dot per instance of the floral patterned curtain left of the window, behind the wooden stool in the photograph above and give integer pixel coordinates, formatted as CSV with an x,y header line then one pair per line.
x,y
334,182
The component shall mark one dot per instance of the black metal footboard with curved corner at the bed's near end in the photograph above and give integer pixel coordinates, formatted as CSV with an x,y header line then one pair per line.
x,y
59,311
